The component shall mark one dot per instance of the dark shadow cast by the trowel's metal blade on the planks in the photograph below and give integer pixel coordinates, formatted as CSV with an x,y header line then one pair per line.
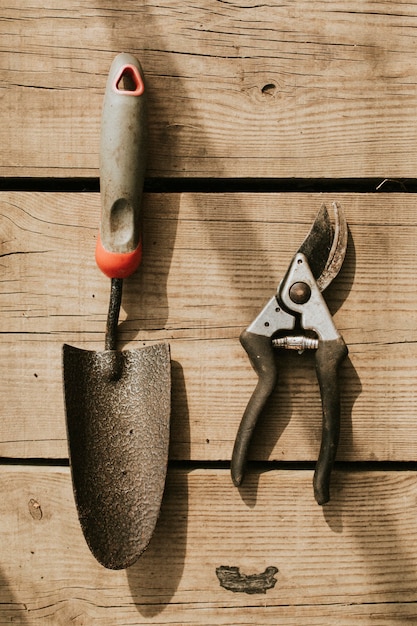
x,y
154,578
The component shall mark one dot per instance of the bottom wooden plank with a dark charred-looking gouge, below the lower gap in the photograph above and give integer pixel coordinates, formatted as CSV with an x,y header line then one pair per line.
x,y
355,561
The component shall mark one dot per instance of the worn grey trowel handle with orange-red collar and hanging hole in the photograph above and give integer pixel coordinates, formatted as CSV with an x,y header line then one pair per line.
x,y
122,168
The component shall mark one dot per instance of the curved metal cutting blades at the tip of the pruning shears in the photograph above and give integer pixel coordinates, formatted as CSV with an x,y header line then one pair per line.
x,y
325,245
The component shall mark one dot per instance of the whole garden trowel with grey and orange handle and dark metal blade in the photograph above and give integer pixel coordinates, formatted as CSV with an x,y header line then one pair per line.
x,y
118,402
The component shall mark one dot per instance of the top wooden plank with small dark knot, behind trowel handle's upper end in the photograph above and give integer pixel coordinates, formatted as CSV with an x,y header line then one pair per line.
x,y
236,88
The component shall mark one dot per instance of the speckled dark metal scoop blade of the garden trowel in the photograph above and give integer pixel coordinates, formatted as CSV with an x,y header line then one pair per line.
x,y
118,434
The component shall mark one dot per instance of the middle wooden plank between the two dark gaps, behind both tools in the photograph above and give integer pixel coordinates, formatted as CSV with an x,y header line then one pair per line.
x,y
210,264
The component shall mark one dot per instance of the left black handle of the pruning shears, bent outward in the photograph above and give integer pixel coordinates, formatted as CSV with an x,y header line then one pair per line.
x,y
261,354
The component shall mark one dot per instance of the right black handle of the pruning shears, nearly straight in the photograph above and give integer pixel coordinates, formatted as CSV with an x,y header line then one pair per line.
x,y
329,356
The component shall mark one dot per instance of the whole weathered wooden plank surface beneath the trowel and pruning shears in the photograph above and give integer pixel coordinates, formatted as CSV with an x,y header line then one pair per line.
x,y
258,113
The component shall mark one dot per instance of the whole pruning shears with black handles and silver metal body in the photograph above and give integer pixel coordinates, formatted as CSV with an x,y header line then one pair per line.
x,y
297,318
